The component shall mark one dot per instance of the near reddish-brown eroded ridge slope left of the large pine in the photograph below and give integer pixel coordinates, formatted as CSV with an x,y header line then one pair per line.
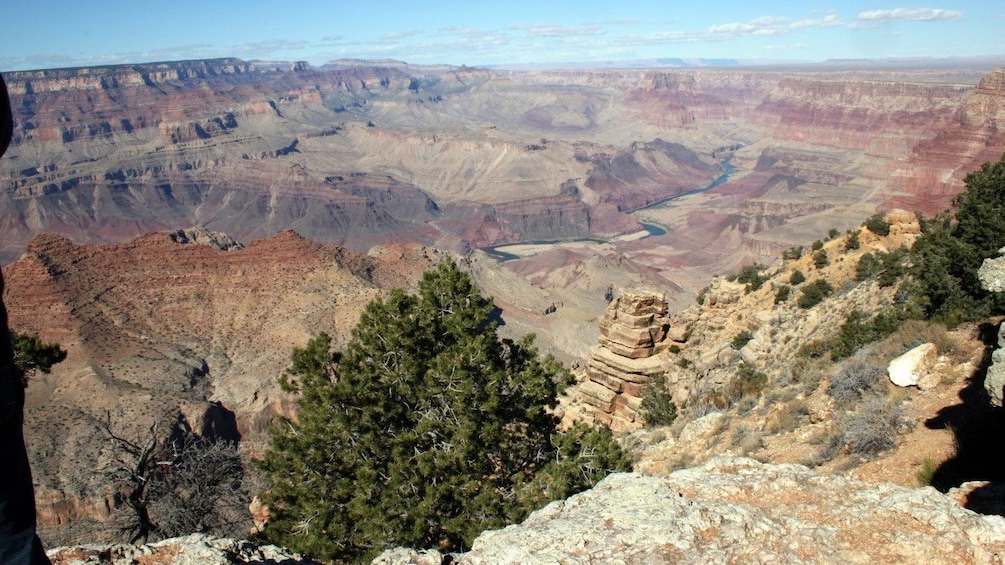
x,y
165,327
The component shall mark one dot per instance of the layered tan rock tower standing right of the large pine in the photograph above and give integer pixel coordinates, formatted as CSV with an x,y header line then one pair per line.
x,y
635,332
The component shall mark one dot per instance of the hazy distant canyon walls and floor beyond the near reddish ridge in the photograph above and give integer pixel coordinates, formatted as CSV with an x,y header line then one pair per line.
x,y
460,158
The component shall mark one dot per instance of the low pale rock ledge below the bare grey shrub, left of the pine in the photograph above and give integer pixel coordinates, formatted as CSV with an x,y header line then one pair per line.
x,y
197,549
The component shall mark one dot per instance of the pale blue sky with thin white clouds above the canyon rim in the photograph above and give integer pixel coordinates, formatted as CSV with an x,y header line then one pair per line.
x,y
59,34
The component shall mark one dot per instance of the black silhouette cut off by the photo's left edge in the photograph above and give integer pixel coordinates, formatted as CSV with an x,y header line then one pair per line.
x,y
20,545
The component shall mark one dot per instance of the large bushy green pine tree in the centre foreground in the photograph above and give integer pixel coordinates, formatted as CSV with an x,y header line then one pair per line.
x,y
426,432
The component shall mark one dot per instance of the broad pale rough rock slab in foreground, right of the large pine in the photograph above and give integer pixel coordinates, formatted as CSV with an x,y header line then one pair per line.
x,y
735,510
